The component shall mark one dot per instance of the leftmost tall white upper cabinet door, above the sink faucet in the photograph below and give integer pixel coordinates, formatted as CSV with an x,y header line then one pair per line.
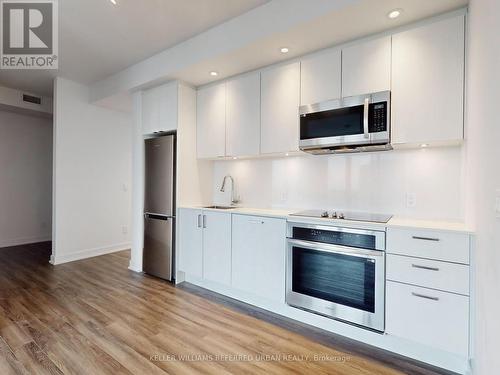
x,y
211,121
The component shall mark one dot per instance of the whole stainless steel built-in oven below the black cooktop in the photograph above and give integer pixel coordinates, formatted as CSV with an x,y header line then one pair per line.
x,y
337,272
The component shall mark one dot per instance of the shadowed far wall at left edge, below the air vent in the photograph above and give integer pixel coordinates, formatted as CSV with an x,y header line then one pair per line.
x,y
25,179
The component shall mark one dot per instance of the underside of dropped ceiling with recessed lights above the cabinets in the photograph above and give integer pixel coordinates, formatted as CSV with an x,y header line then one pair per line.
x,y
361,19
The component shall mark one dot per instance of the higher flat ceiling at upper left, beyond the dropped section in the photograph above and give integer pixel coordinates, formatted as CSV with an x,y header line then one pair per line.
x,y
98,39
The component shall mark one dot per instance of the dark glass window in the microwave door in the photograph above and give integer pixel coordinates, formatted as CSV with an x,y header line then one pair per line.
x,y
334,123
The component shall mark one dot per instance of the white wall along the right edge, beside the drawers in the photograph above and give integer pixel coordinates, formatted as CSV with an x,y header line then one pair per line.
x,y
483,132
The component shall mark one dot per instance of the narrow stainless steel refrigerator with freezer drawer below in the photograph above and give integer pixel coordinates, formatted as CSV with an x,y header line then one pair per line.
x,y
159,207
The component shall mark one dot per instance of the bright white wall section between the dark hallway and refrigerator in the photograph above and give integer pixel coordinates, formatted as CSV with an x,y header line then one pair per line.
x,y
92,175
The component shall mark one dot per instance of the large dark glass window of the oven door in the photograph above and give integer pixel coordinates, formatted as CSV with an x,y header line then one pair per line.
x,y
338,278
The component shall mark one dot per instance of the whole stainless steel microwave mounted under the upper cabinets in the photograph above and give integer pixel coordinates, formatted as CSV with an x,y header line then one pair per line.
x,y
351,124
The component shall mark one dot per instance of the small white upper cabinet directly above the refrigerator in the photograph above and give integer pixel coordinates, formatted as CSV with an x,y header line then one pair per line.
x,y
160,109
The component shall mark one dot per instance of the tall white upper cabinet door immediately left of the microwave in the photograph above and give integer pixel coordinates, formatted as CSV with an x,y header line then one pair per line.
x,y
280,88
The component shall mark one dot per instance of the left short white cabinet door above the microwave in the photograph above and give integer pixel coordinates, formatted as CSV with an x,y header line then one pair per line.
x,y
320,77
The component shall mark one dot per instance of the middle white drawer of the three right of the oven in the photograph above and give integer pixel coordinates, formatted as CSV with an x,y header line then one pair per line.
x,y
449,277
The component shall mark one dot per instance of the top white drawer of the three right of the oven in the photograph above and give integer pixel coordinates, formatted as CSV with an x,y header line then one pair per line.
x,y
446,246
